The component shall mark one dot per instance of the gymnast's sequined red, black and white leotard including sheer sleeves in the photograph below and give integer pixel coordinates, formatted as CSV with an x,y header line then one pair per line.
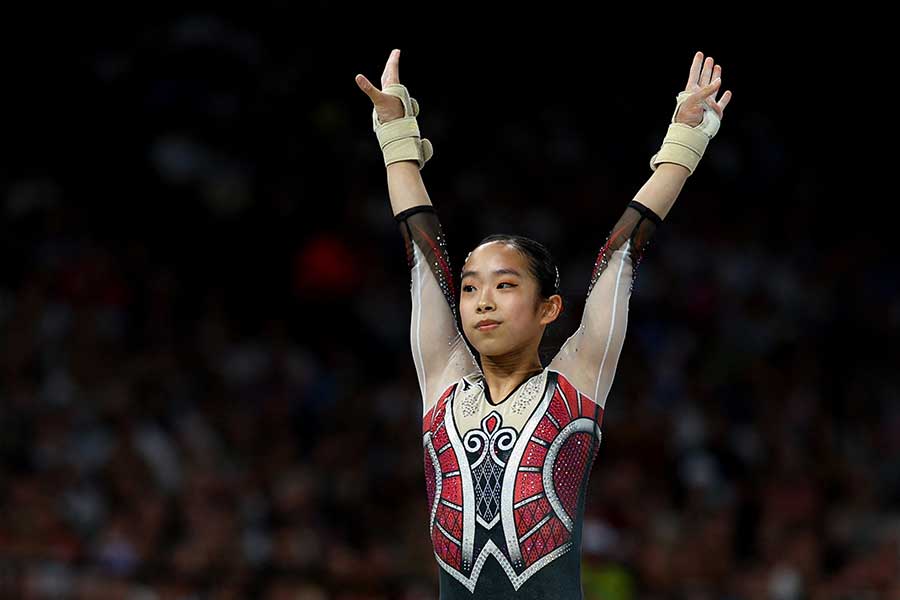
x,y
506,480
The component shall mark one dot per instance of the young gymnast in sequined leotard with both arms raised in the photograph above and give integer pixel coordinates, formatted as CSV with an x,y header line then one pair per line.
x,y
509,444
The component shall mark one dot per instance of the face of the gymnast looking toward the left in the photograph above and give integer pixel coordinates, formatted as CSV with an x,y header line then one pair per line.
x,y
496,284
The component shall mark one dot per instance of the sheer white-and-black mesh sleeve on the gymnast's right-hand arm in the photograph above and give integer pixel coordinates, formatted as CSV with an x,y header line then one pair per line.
x,y
590,355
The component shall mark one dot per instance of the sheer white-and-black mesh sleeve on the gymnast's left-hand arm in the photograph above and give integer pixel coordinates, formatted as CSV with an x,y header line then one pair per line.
x,y
439,350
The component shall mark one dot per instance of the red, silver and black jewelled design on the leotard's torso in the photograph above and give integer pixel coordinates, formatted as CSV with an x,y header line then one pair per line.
x,y
508,484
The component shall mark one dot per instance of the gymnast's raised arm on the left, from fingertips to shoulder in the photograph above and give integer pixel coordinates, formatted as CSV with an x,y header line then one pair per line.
x,y
440,353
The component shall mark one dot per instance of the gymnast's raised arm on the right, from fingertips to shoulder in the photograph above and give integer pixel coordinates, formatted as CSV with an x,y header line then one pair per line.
x,y
590,356
